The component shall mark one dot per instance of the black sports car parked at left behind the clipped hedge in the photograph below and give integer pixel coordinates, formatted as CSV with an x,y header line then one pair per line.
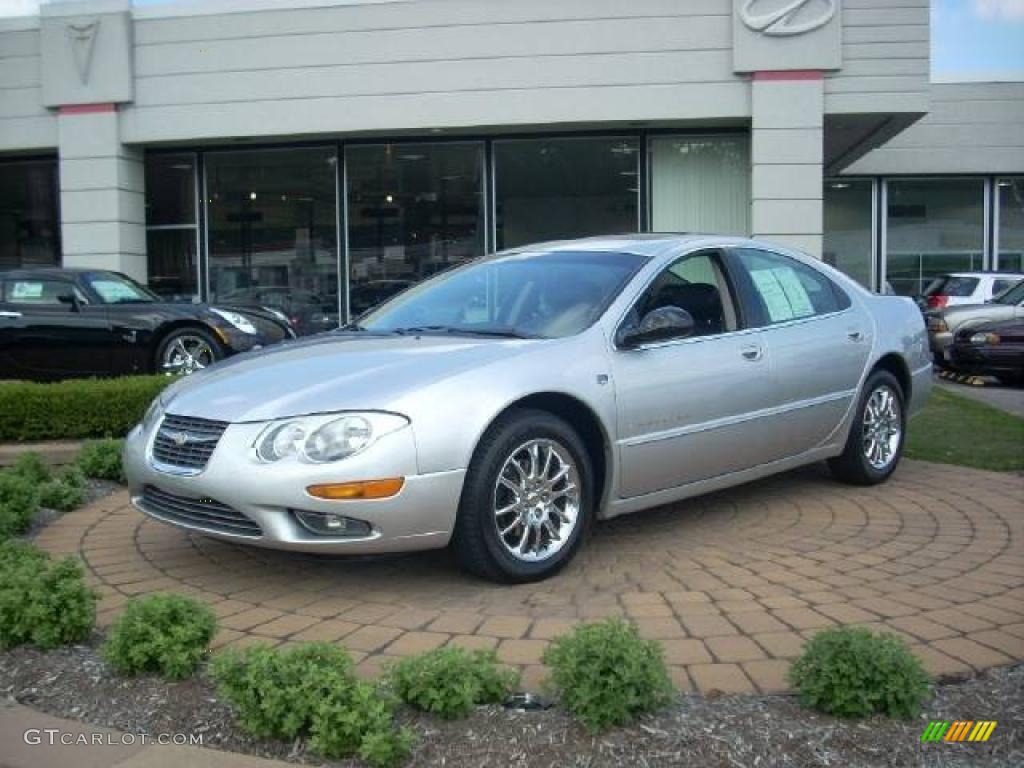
x,y
60,324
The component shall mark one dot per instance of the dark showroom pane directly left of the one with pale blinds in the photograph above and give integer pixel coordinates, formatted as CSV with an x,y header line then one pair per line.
x,y
565,188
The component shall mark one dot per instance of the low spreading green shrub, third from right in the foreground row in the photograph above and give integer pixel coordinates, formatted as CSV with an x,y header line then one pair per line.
x,y
450,682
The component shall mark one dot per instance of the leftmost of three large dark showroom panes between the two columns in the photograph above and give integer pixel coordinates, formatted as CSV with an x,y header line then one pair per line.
x,y
273,232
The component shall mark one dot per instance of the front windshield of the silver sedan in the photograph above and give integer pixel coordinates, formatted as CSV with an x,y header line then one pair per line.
x,y
528,295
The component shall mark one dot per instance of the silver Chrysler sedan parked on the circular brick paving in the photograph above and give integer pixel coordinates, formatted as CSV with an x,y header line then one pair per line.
x,y
506,405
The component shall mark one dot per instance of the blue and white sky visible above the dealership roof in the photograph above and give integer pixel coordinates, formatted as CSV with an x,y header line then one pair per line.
x,y
972,40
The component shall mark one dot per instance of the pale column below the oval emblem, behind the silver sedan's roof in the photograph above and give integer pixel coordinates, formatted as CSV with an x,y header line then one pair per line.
x,y
787,159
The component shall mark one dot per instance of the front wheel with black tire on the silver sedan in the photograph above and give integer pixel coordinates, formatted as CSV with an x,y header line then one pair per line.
x,y
528,499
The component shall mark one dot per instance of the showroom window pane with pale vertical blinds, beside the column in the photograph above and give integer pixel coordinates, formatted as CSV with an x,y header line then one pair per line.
x,y
701,185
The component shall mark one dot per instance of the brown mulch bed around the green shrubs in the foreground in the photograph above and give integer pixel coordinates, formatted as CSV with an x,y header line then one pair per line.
x,y
721,732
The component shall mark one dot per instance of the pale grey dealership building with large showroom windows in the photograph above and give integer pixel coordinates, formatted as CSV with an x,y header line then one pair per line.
x,y
332,152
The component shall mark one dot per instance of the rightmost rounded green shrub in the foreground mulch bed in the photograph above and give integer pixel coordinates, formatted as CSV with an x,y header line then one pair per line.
x,y
851,672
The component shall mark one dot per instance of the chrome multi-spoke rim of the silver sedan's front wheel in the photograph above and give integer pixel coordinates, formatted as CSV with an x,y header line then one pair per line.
x,y
537,500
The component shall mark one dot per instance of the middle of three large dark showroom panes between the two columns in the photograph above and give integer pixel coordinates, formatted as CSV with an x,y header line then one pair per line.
x,y
413,211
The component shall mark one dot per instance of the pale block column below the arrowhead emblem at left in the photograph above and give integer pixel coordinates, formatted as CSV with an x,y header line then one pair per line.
x,y
103,202
